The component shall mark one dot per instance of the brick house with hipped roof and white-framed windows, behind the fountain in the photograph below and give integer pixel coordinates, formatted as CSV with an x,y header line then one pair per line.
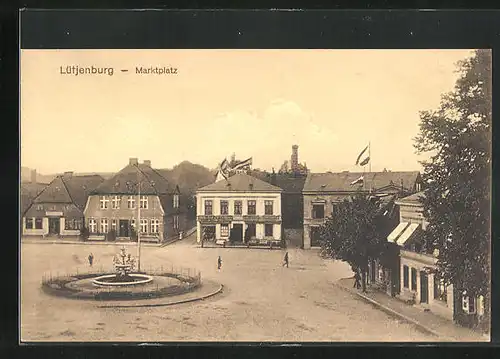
x,y
137,189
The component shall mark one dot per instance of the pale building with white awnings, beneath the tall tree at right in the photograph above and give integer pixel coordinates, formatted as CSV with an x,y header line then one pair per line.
x,y
419,281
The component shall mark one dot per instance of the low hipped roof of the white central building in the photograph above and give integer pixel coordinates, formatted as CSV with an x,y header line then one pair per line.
x,y
240,182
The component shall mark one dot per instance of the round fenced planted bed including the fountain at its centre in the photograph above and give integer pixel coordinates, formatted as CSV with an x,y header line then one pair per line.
x,y
123,283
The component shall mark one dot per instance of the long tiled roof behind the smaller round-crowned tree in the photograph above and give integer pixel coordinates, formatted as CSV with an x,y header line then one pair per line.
x,y
341,181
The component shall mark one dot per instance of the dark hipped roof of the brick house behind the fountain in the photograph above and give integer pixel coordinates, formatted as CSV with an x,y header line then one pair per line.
x,y
124,182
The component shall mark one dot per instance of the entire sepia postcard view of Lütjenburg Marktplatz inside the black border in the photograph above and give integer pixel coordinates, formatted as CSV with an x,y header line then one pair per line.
x,y
199,195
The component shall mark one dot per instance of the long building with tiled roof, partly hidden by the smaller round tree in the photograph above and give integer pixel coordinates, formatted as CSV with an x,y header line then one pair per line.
x,y
323,190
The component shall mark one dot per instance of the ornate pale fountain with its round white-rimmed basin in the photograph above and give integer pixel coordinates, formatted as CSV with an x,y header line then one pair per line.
x,y
124,265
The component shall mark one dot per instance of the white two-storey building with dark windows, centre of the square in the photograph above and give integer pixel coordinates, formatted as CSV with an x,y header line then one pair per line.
x,y
242,208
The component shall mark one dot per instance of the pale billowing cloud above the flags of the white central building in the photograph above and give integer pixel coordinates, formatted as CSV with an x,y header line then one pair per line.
x,y
269,135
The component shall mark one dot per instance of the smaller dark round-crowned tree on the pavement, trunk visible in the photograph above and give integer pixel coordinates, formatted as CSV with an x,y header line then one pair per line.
x,y
352,235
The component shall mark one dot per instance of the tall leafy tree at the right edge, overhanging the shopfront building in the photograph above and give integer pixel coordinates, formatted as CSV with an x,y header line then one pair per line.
x,y
458,178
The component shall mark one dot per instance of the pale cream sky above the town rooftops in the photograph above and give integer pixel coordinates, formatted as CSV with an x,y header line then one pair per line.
x,y
255,103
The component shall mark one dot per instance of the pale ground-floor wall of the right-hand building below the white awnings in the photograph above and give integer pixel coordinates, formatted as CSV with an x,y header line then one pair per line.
x,y
420,262
